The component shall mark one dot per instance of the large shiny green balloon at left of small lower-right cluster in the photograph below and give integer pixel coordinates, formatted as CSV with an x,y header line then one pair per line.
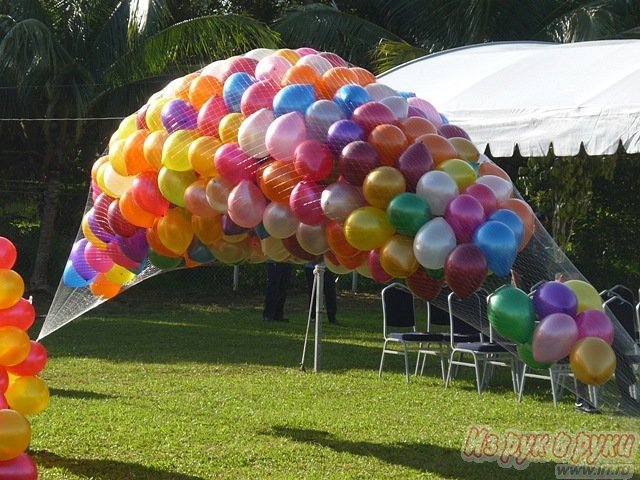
x,y
511,314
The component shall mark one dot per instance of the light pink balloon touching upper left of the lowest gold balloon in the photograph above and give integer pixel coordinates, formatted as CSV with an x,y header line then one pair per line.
x,y
554,337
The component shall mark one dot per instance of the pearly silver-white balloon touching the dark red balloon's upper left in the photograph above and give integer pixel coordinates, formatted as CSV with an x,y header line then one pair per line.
x,y
433,243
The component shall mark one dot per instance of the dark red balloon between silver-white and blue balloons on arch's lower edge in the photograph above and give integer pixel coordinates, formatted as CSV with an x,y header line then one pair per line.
x,y
465,269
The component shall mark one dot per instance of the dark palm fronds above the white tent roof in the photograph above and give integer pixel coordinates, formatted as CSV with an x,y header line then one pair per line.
x,y
386,33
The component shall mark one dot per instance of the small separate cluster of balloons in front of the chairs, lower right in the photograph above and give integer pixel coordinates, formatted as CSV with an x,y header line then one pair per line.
x,y
562,319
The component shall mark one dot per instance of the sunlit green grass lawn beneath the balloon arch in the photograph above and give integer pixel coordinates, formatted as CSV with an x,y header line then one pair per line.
x,y
147,390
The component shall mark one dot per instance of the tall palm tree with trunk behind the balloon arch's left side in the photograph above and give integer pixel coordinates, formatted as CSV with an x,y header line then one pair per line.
x,y
63,62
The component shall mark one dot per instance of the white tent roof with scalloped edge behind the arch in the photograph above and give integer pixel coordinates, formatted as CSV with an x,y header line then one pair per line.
x,y
534,94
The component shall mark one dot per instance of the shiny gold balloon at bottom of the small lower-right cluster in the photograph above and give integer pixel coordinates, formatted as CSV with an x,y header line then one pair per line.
x,y
592,360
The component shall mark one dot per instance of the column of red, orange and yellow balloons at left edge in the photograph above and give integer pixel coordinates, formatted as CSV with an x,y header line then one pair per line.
x,y
21,391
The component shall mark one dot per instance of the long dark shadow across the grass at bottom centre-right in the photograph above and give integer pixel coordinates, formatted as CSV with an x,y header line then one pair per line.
x,y
443,461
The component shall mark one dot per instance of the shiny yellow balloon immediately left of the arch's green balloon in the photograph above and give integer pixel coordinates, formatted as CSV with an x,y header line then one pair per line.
x,y
367,228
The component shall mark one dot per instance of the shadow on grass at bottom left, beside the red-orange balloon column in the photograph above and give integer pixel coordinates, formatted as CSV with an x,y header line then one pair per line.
x,y
106,469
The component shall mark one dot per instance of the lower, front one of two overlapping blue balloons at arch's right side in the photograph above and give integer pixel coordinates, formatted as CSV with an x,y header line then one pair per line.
x,y
498,243
